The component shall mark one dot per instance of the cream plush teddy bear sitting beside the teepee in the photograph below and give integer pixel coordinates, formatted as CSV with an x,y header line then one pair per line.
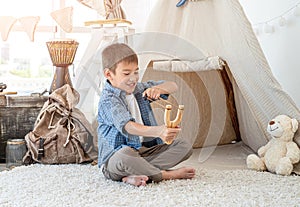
x,y
281,152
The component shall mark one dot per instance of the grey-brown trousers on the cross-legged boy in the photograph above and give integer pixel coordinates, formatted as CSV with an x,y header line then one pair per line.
x,y
146,161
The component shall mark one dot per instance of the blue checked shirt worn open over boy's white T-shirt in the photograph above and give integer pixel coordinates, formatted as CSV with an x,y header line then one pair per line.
x,y
114,114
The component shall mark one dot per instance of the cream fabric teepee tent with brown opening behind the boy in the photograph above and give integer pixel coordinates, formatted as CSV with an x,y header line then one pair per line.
x,y
210,50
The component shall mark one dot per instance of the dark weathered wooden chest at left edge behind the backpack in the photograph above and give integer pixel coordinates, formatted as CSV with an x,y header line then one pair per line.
x,y
17,117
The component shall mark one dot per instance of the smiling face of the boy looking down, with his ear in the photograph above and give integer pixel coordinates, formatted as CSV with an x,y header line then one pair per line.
x,y
125,77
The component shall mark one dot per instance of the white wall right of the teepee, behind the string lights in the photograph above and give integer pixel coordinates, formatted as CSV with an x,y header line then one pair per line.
x,y
282,46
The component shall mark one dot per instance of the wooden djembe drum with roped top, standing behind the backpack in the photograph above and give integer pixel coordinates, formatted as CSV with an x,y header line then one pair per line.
x,y
62,53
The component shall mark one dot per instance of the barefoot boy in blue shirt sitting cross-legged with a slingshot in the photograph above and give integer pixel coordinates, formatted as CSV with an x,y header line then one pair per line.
x,y
131,145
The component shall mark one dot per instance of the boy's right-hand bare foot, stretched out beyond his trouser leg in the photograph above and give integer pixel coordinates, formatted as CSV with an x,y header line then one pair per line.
x,y
181,173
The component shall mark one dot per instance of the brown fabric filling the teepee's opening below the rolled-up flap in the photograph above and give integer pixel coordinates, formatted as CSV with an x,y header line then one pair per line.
x,y
206,121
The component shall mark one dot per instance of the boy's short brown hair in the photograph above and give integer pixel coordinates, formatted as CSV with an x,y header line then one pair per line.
x,y
115,53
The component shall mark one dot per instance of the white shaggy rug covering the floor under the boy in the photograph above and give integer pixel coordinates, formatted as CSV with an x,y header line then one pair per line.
x,y
84,186
